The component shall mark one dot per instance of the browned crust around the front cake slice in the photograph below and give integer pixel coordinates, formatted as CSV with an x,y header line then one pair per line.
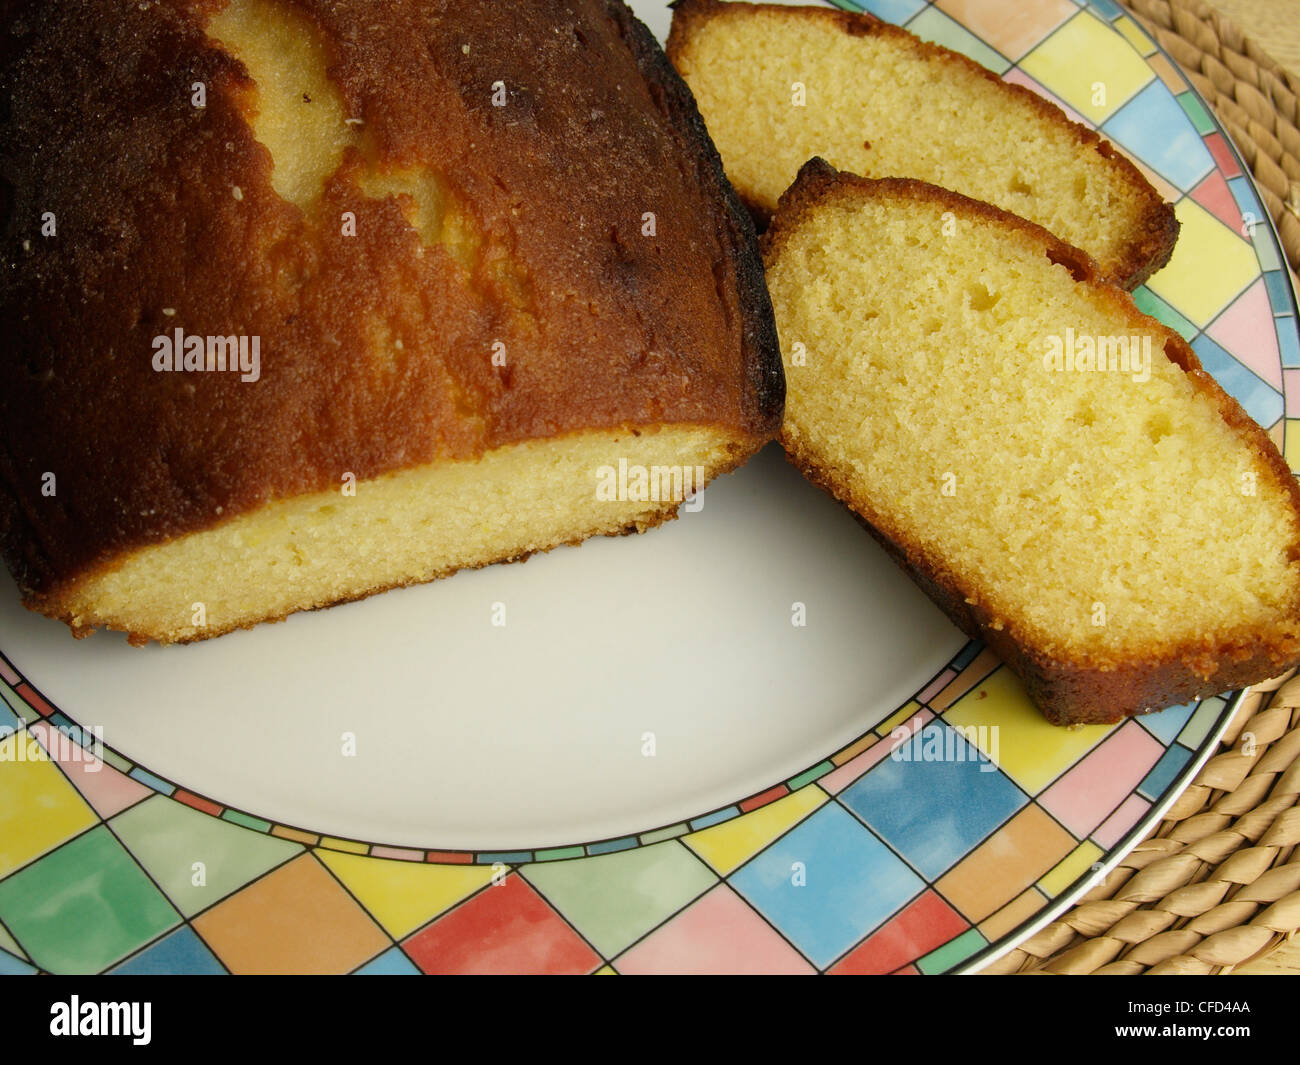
x,y
1090,691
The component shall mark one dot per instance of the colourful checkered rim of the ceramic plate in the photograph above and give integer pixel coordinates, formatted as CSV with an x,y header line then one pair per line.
x,y
863,864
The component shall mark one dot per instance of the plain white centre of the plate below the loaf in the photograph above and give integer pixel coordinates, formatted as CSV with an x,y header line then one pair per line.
x,y
636,682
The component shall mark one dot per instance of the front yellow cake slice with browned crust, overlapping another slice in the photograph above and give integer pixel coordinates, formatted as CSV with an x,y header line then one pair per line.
x,y
1051,466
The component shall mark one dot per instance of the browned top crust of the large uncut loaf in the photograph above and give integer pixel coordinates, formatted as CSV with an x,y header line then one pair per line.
x,y
167,218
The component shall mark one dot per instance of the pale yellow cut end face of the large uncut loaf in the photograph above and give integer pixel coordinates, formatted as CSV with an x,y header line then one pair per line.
x,y
404,529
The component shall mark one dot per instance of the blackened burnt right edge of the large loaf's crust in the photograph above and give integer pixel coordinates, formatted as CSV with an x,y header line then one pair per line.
x,y
765,399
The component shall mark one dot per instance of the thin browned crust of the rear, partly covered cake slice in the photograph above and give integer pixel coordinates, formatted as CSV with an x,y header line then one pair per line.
x,y
1150,246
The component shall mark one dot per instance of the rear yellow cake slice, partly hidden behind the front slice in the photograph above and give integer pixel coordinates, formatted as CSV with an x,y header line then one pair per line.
x,y
779,85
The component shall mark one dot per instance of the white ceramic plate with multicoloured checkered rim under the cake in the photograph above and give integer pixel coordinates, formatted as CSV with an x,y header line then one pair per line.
x,y
739,743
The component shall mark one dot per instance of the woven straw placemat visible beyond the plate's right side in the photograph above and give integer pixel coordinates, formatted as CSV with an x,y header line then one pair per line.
x,y
1216,887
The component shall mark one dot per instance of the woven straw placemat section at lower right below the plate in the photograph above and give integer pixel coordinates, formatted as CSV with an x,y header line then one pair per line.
x,y
1217,885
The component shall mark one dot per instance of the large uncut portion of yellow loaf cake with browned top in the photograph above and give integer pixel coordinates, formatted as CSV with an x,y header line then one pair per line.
x,y
306,300
